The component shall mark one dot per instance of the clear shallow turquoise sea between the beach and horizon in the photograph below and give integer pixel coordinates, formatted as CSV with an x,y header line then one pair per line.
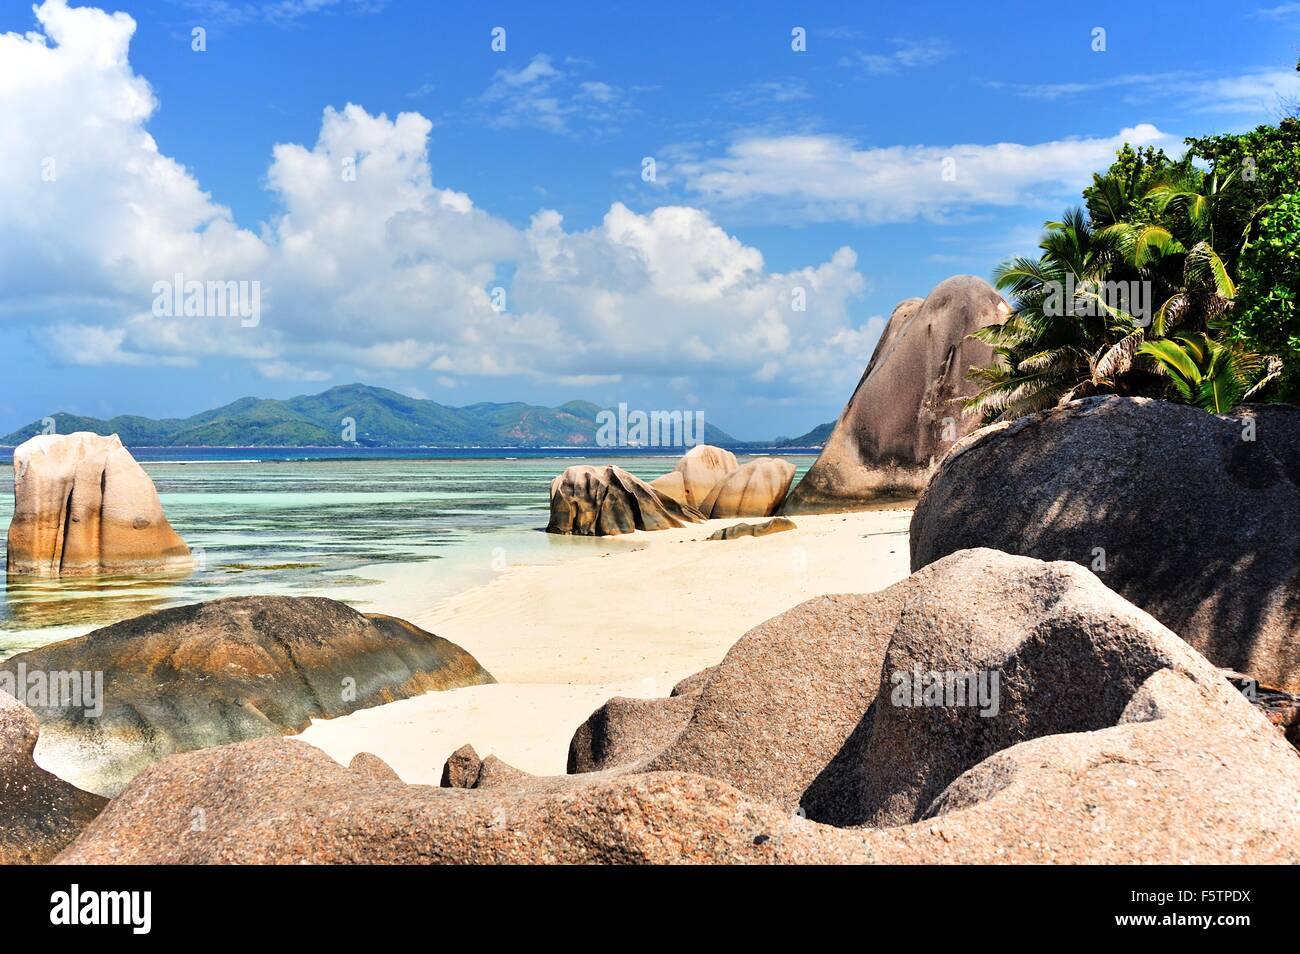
x,y
384,531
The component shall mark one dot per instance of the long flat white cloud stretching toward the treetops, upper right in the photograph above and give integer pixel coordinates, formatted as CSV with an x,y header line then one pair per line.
x,y
831,179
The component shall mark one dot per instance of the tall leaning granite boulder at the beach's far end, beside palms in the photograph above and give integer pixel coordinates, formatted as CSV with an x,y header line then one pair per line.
x,y
908,407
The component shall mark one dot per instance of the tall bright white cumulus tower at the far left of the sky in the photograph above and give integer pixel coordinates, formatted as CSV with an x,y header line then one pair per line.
x,y
92,209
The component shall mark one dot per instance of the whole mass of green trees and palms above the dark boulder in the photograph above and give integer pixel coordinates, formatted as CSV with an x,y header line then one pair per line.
x,y
1177,280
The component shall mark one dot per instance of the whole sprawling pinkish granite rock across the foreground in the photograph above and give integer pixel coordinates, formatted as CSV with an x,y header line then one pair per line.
x,y
1113,741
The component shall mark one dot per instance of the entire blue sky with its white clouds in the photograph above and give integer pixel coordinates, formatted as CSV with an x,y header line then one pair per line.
x,y
775,171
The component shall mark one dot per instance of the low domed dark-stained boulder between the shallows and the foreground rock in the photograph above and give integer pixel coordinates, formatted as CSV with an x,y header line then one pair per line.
x,y
231,670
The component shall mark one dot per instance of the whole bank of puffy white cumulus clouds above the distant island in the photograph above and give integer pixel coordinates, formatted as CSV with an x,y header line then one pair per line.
x,y
369,264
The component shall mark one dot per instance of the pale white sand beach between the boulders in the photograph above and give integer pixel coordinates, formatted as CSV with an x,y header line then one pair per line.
x,y
565,638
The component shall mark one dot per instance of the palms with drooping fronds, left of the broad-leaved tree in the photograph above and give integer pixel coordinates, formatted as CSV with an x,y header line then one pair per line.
x,y
1151,228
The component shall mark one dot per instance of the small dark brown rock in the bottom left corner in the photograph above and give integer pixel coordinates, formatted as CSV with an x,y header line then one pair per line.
x,y
40,813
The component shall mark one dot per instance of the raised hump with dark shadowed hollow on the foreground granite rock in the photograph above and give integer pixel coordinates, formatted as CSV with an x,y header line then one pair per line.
x,y
1012,651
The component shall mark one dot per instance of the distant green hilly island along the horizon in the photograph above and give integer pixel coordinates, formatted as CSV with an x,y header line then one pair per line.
x,y
359,415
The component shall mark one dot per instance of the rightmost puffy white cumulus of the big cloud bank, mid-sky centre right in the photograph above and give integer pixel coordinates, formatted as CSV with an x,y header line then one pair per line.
x,y
673,290
